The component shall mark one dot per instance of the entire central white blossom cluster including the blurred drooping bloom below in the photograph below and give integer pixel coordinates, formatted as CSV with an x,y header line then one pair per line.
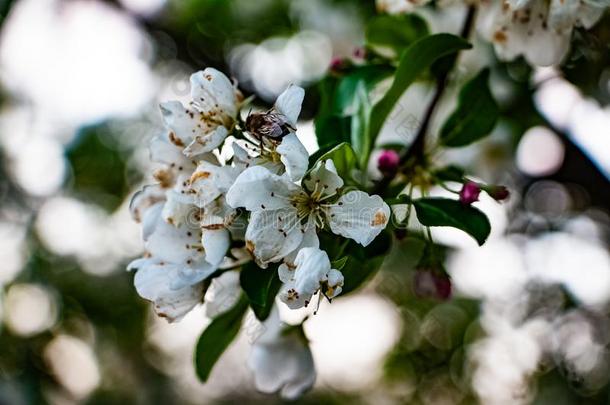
x,y
207,215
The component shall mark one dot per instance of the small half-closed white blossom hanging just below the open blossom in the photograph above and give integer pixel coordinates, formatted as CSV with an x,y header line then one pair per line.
x,y
310,273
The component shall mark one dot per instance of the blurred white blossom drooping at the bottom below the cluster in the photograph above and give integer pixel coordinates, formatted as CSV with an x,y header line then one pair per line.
x,y
281,359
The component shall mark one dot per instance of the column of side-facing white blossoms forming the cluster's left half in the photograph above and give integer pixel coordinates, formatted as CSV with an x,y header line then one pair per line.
x,y
186,223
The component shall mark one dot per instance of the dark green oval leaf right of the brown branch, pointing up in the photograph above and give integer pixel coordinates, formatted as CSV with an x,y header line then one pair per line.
x,y
475,116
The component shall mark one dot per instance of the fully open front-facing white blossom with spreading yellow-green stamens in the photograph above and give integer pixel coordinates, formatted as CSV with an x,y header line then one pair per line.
x,y
285,216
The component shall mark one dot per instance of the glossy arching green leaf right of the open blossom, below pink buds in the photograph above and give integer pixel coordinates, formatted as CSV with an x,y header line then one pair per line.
x,y
447,212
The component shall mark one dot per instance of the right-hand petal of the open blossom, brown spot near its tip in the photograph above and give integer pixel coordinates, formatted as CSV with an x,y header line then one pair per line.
x,y
359,216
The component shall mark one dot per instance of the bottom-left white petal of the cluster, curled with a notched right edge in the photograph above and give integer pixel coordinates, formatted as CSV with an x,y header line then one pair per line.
x,y
153,282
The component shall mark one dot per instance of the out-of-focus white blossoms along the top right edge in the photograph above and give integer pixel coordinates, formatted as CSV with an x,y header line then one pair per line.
x,y
539,30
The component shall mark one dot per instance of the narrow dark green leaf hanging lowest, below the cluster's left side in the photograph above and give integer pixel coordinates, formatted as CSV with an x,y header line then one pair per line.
x,y
217,337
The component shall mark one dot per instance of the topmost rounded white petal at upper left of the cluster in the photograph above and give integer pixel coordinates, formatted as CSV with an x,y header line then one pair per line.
x,y
213,91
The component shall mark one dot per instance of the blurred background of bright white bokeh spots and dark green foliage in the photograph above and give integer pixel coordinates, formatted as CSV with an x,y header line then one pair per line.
x,y
80,81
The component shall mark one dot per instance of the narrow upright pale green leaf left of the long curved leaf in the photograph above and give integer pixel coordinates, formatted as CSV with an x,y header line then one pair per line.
x,y
360,125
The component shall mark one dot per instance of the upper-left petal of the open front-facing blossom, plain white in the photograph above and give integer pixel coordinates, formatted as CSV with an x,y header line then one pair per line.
x,y
258,189
